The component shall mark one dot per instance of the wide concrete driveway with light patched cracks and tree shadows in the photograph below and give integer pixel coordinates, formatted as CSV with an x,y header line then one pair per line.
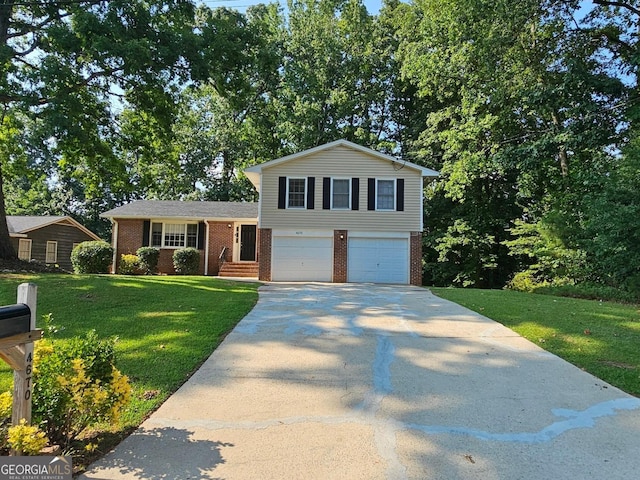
x,y
370,382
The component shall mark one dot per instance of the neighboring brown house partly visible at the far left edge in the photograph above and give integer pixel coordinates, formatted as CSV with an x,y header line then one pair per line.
x,y
47,239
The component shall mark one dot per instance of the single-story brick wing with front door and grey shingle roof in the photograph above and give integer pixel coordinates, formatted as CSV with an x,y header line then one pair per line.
x,y
224,232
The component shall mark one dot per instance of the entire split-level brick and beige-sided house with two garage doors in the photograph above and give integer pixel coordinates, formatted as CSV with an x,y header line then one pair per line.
x,y
338,212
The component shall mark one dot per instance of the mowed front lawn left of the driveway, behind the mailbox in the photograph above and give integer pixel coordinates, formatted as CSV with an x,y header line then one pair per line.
x,y
166,325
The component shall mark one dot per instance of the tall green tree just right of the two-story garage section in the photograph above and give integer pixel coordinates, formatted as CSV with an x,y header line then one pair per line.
x,y
517,117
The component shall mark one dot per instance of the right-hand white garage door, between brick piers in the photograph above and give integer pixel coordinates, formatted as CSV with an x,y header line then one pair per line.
x,y
378,260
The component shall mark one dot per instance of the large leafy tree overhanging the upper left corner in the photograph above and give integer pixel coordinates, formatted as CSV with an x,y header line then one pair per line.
x,y
70,64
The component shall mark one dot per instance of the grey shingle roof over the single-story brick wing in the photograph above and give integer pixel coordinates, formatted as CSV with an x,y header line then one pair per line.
x,y
194,210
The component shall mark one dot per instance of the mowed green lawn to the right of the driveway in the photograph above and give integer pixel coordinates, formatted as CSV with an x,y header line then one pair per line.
x,y
603,338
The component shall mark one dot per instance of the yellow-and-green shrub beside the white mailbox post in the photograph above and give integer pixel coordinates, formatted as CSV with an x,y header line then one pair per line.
x,y
76,386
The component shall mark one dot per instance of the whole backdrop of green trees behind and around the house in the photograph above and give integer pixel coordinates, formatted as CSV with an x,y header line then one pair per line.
x,y
528,108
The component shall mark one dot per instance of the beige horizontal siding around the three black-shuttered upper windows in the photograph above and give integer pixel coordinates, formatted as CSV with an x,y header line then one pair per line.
x,y
341,162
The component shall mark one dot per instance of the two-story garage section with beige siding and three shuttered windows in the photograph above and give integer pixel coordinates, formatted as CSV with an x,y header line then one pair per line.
x,y
340,212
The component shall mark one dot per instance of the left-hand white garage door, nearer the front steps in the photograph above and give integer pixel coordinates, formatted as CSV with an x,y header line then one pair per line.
x,y
302,259
